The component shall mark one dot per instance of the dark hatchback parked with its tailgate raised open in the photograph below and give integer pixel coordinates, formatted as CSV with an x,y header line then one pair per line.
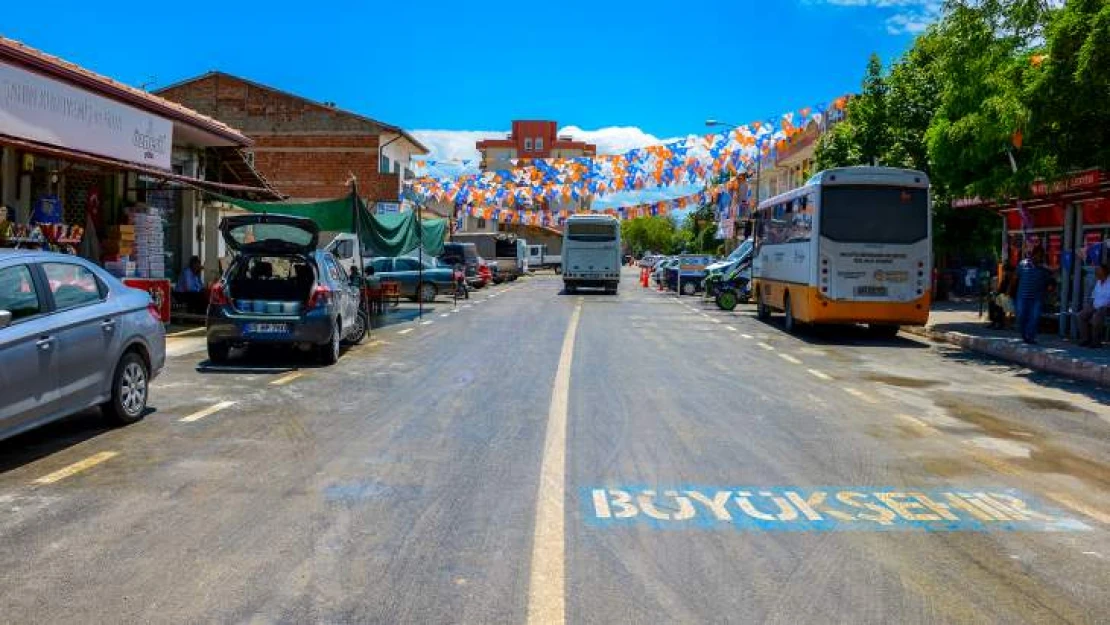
x,y
280,289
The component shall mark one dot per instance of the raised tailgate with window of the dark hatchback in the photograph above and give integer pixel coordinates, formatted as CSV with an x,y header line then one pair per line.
x,y
270,234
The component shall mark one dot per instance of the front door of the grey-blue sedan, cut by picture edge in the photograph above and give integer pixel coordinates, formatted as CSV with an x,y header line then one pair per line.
x,y
28,350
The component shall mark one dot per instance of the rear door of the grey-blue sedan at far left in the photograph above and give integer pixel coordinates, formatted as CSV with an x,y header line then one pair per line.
x,y
88,329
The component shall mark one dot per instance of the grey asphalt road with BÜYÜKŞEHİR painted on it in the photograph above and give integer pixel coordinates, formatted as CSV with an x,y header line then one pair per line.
x,y
584,459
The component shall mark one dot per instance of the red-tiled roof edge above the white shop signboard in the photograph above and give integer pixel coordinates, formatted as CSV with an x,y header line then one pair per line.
x,y
23,55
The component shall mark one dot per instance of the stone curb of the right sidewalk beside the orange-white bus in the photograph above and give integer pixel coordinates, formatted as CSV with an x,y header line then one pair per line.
x,y
1032,358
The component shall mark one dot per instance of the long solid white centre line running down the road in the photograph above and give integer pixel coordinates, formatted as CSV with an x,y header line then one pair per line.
x,y
547,582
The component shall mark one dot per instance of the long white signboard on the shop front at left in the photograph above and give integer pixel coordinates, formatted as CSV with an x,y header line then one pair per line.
x,y
42,109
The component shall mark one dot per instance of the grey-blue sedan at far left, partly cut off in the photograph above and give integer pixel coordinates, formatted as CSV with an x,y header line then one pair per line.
x,y
73,337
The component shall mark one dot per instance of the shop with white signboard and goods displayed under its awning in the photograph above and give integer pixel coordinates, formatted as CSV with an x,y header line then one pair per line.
x,y
95,168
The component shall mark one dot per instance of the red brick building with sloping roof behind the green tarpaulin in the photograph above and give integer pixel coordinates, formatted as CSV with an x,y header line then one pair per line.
x,y
306,149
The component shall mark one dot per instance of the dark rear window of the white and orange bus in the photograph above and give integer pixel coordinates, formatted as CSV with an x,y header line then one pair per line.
x,y
875,215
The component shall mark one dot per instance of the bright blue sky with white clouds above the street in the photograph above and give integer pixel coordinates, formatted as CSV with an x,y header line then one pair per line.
x,y
622,74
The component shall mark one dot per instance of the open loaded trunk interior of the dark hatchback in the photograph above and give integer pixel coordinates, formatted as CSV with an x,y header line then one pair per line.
x,y
271,285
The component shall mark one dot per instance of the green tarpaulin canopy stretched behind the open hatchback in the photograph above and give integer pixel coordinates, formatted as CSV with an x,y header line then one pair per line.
x,y
393,235
